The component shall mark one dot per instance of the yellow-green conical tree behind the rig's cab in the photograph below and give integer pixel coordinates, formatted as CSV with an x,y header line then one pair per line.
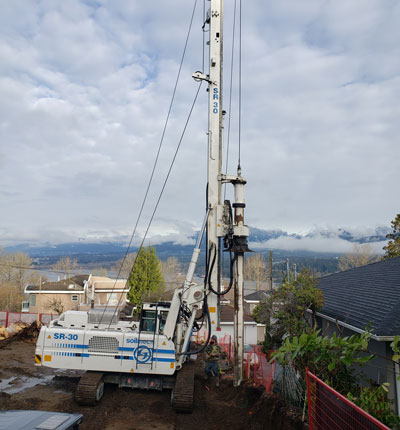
x,y
146,280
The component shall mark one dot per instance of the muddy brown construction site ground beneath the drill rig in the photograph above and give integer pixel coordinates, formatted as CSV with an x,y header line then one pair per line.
x,y
26,386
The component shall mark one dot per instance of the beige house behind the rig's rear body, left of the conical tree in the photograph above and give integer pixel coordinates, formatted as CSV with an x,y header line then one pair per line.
x,y
76,293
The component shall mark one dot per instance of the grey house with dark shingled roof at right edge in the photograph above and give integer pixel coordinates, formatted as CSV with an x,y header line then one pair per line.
x,y
367,297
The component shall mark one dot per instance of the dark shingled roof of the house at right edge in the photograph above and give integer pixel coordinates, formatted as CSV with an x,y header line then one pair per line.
x,y
365,296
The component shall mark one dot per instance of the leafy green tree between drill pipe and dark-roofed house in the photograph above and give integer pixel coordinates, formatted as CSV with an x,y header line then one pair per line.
x,y
287,308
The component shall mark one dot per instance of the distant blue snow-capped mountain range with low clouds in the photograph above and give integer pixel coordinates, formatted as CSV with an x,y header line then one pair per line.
x,y
318,241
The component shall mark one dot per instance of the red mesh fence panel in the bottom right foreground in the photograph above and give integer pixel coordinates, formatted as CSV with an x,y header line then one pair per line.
x,y
329,410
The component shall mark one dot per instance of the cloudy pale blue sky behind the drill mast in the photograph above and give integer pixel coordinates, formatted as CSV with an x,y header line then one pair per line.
x,y
85,88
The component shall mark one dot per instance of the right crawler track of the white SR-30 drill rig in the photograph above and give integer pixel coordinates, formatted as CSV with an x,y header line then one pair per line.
x,y
183,393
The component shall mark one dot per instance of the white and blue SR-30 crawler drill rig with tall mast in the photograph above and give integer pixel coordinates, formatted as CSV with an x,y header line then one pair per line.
x,y
153,353
